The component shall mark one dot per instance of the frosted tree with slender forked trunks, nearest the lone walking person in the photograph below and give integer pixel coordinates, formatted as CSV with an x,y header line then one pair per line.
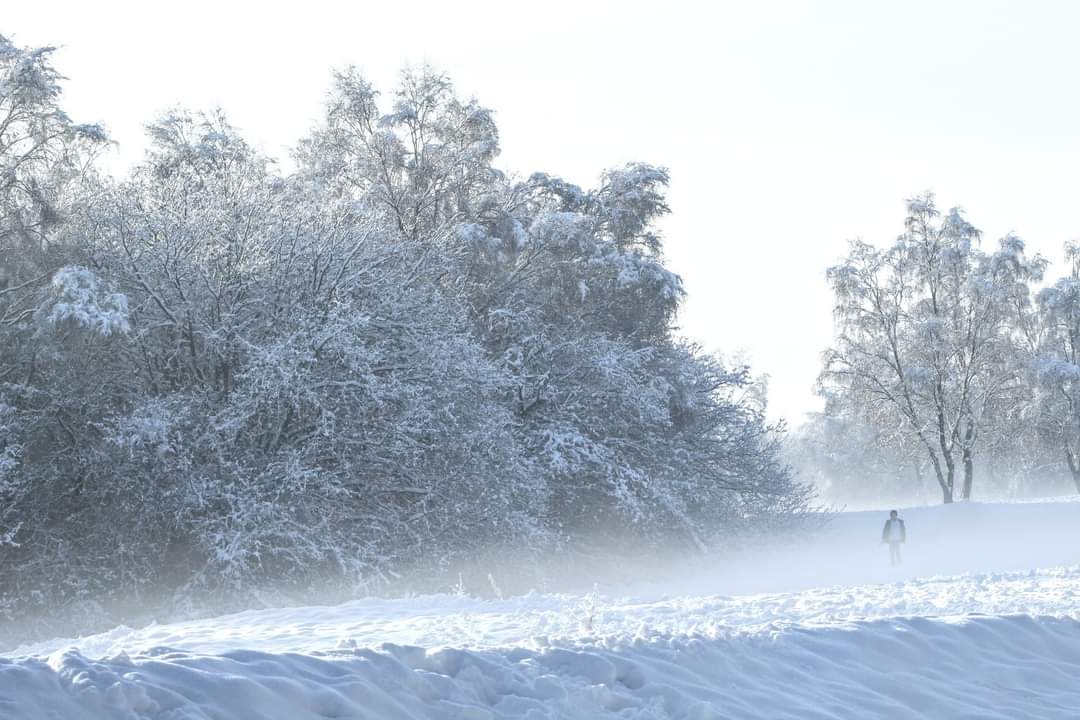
x,y
927,333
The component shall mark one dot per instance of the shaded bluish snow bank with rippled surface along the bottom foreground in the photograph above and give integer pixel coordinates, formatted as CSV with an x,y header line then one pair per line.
x,y
1007,668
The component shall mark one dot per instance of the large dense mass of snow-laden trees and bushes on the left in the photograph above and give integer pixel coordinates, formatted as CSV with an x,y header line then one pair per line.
x,y
218,379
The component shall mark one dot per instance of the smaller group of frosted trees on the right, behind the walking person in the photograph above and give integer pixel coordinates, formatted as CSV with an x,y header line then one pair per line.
x,y
949,359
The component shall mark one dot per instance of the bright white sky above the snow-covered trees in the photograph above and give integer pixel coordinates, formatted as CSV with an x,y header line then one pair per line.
x,y
789,127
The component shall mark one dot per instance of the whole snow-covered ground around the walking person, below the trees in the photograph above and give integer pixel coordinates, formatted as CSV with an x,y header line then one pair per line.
x,y
983,621
